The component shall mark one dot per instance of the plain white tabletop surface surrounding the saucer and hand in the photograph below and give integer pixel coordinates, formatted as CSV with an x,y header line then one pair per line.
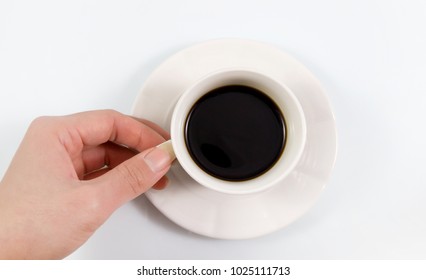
x,y
60,57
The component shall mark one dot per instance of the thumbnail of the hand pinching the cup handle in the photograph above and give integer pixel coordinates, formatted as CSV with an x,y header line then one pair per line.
x,y
160,157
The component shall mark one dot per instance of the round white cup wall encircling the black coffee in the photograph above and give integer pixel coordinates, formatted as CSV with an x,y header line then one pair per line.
x,y
282,96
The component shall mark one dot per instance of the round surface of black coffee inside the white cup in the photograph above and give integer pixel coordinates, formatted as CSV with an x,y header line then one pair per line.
x,y
235,133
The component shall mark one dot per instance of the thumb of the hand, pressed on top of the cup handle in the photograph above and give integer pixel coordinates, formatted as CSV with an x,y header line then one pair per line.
x,y
137,174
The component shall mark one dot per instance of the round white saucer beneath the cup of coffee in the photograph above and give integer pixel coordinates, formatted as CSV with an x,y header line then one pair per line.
x,y
219,215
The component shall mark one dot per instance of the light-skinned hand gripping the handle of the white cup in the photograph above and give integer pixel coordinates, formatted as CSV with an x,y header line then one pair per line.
x,y
68,176
